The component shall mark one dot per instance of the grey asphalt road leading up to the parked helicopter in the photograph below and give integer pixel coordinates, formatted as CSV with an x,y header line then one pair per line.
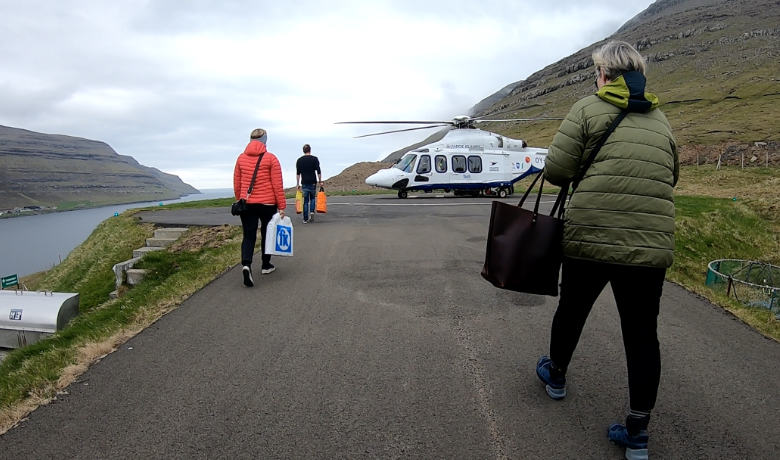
x,y
380,339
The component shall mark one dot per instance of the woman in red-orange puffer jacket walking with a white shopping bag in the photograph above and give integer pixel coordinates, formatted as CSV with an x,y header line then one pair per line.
x,y
265,199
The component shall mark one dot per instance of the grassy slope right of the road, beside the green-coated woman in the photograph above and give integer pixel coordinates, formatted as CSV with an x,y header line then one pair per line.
x,y
730,213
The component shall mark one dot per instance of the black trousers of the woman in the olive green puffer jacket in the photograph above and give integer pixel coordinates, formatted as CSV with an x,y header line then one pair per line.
x,y
637,293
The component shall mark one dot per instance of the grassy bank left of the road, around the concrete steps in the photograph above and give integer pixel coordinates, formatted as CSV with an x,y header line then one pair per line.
x,y
34,374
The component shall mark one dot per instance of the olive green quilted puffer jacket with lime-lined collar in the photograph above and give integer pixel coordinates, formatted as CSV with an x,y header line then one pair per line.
x,y
623,210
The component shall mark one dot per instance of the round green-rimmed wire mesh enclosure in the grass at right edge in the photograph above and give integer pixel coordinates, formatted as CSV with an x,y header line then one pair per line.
x,y
755,284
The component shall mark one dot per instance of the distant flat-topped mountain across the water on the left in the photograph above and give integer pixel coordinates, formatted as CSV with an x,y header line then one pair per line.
x,y
67,172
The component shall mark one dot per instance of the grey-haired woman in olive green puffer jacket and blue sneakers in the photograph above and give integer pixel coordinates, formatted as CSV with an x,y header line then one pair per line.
x,y
618,228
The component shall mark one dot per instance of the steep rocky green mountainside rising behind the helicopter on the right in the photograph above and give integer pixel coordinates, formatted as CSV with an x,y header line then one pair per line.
x,y
714,64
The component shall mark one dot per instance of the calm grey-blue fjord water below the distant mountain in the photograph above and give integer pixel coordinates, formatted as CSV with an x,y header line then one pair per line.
x,y
29,244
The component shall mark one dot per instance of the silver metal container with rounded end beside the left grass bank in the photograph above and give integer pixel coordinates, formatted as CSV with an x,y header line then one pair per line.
x,y
28,316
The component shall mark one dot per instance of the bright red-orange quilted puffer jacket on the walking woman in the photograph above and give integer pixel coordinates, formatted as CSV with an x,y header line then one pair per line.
x,y
268,187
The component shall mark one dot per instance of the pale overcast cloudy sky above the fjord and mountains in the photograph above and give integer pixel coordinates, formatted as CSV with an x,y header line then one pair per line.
x,y
179,84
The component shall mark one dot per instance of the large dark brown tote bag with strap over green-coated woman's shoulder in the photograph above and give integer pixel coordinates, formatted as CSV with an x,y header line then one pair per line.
x,y
524,249
